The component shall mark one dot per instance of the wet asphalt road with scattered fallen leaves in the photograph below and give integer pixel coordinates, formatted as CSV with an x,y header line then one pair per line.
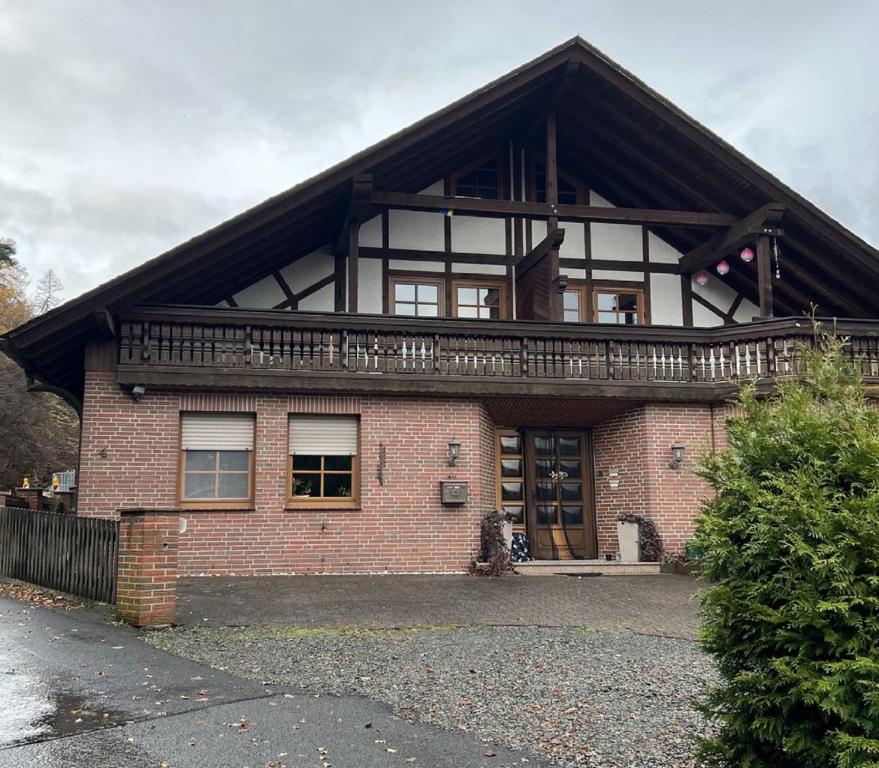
x,y
78,690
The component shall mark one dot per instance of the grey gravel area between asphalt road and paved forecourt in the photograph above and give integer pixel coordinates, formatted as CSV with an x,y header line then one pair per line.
x,y
565,695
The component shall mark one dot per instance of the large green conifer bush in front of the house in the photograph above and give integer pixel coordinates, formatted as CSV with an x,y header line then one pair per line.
x,y
790,547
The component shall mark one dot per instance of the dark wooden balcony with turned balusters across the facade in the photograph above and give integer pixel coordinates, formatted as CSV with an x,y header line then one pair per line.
x,y
238,349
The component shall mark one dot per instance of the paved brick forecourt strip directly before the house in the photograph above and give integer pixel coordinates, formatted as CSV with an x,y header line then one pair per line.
x,y
656,605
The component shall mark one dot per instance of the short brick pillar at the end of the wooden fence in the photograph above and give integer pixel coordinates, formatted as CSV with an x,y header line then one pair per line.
x,y
146,580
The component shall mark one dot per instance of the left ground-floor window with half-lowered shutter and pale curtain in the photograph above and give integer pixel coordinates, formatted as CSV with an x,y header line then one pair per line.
x,y
216,458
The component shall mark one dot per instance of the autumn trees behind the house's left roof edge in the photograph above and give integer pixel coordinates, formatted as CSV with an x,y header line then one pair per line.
x,y
40,431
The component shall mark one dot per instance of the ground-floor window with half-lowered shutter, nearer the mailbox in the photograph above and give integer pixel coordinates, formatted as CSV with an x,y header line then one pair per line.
x,y
323,460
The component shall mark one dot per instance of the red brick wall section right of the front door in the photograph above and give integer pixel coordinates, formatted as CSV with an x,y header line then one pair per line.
x,y
638,444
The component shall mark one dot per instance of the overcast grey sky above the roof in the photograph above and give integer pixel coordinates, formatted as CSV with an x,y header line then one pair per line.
x,y
128,126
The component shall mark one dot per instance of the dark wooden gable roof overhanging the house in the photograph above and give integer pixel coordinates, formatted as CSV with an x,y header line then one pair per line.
x,y
632,145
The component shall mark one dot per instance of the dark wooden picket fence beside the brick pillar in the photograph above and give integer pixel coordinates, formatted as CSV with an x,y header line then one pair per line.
x,y
64,552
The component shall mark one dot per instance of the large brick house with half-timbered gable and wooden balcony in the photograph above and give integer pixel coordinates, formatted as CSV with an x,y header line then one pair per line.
x,y
545,293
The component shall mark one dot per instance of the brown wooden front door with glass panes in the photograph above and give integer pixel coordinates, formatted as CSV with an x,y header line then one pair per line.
x,y
559,503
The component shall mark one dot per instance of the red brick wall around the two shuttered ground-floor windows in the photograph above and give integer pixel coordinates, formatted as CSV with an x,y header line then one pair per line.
x,y
130,459
